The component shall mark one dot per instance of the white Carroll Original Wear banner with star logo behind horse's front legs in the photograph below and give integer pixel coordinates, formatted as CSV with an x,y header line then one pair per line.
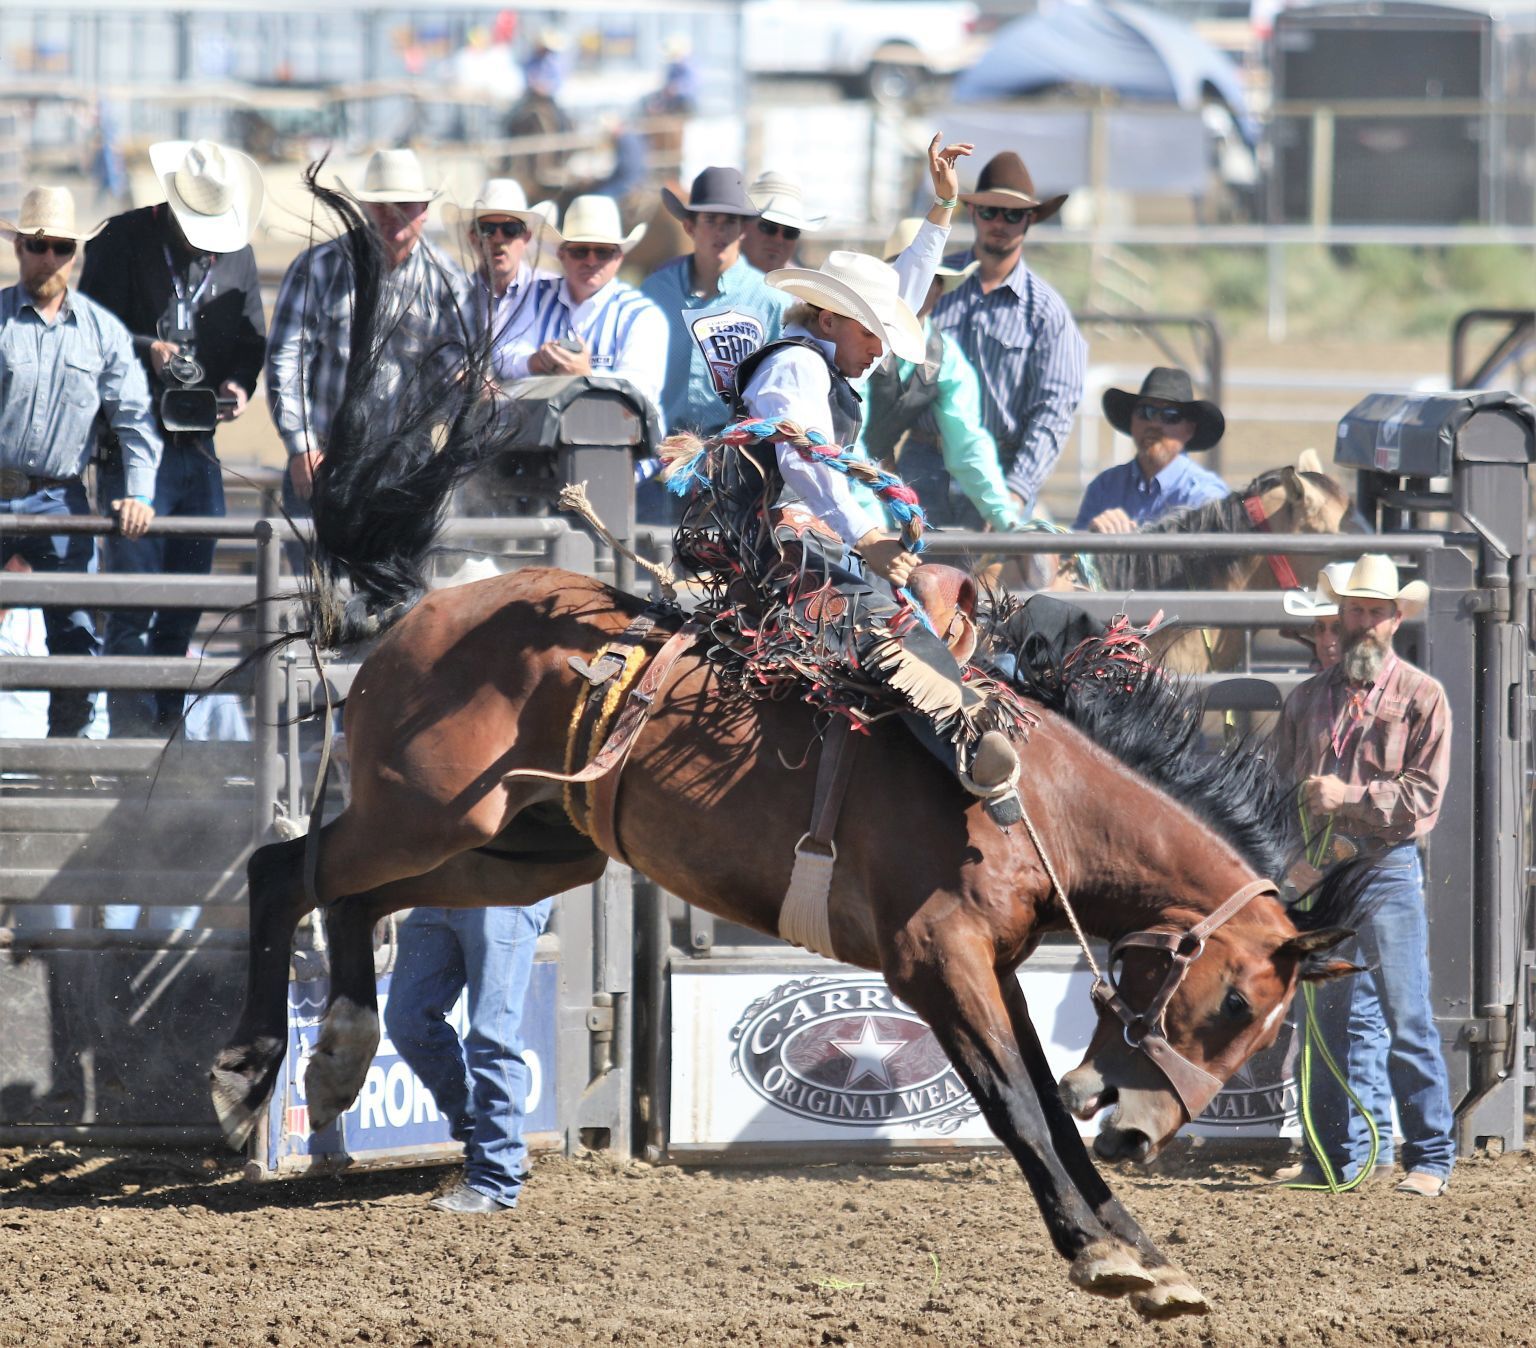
x,y
801,1056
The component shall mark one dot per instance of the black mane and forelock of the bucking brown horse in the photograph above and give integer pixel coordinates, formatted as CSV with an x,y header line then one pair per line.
x,y
1153,725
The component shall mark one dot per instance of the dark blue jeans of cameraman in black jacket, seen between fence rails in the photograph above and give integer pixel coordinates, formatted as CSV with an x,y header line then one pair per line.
x,y
190,483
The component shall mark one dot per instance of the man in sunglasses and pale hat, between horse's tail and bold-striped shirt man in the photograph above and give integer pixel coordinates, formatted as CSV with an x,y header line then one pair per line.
x,y
503,233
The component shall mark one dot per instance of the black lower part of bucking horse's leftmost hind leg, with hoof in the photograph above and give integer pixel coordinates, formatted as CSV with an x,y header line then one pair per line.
x,y
247,1069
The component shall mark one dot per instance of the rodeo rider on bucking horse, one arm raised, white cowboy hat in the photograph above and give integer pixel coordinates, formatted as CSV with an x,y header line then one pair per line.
x,y
852,314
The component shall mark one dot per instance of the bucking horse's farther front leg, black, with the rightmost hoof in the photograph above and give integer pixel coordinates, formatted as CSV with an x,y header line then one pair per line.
x,y
1173,1292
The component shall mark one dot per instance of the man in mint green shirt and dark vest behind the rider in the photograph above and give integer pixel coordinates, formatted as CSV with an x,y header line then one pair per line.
x,y
925,417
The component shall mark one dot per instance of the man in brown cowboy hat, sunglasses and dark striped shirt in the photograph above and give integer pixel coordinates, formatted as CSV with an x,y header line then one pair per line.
x,y
1015,329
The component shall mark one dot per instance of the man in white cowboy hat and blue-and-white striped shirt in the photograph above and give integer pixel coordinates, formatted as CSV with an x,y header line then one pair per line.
x,y
588,322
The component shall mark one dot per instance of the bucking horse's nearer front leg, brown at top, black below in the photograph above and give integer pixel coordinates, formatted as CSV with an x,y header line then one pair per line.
x,y
956,990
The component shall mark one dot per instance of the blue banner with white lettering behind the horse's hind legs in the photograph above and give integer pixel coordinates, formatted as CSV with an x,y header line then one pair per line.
x,y
394,1118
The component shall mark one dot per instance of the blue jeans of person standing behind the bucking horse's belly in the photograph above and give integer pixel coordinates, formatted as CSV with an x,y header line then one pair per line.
x,y
483,1083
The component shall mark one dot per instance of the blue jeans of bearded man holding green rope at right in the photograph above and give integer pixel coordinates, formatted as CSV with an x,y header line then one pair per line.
x,y
1380,1028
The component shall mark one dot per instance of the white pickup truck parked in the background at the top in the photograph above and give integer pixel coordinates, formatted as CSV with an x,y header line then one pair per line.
x,y
887,48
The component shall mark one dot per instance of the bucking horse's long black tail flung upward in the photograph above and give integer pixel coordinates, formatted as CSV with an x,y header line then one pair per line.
x,y
415,418
